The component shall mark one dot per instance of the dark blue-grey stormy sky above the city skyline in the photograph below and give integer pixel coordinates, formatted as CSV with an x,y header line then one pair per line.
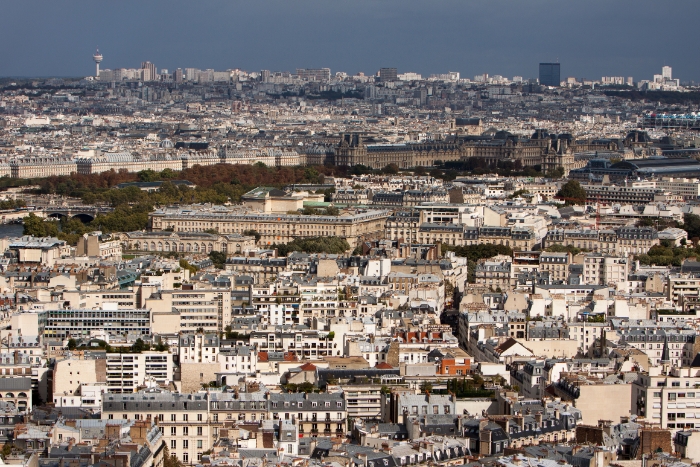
x,y
590,38
